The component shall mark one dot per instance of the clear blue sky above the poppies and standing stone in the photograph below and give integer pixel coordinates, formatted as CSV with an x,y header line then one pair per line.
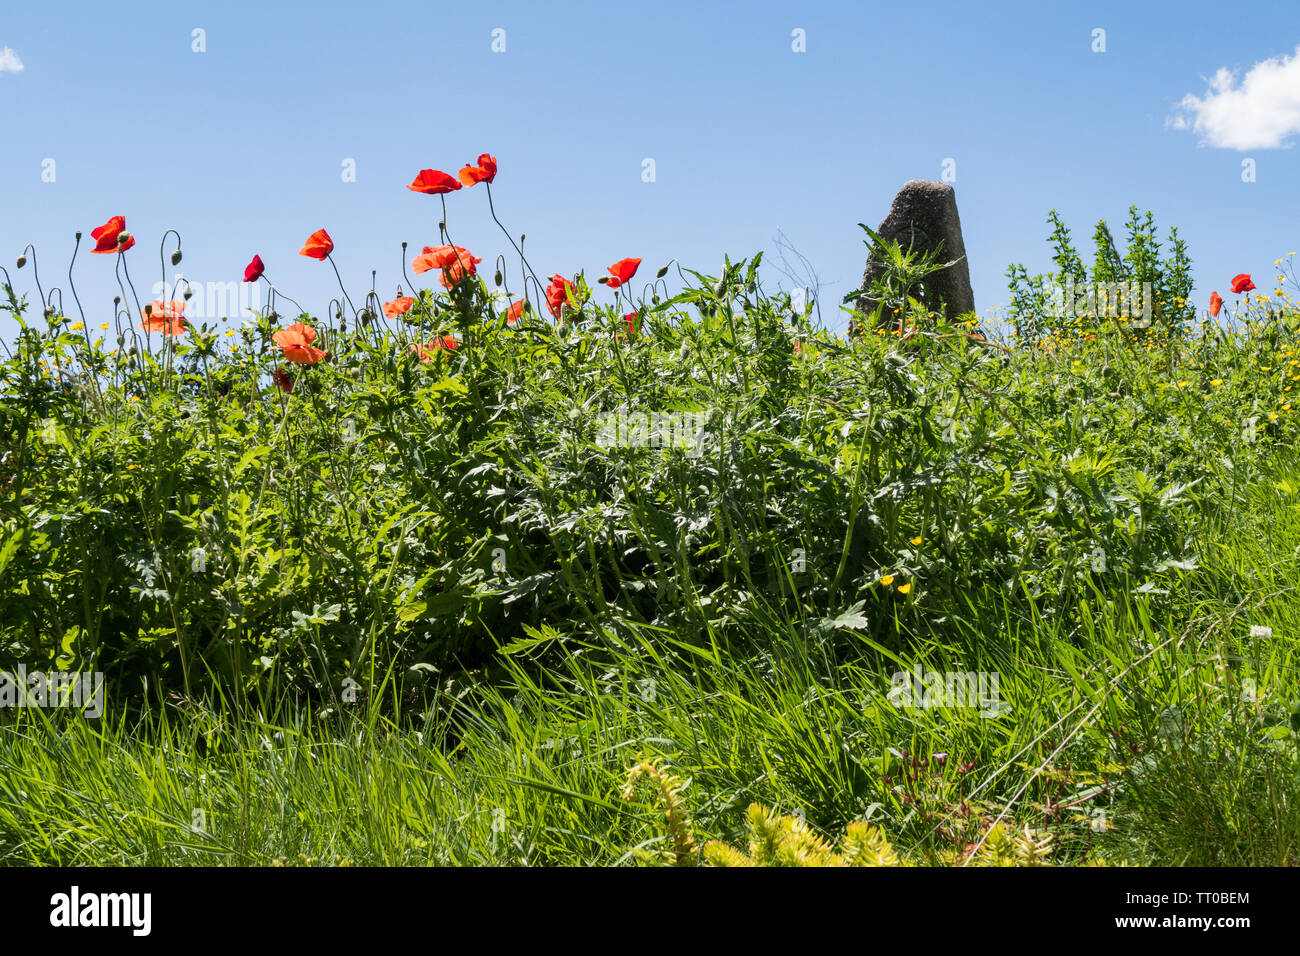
x,y
242,148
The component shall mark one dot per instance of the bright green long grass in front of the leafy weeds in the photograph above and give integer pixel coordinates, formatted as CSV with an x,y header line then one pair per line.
x,y
528,768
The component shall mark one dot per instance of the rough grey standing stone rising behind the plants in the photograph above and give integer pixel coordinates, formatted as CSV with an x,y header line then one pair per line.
x,y
925,215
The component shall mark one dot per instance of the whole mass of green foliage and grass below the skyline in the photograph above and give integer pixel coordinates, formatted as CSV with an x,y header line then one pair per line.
x,y
521,603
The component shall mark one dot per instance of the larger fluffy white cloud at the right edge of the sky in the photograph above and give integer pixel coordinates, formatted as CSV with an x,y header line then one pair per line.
x,y
1262,113
